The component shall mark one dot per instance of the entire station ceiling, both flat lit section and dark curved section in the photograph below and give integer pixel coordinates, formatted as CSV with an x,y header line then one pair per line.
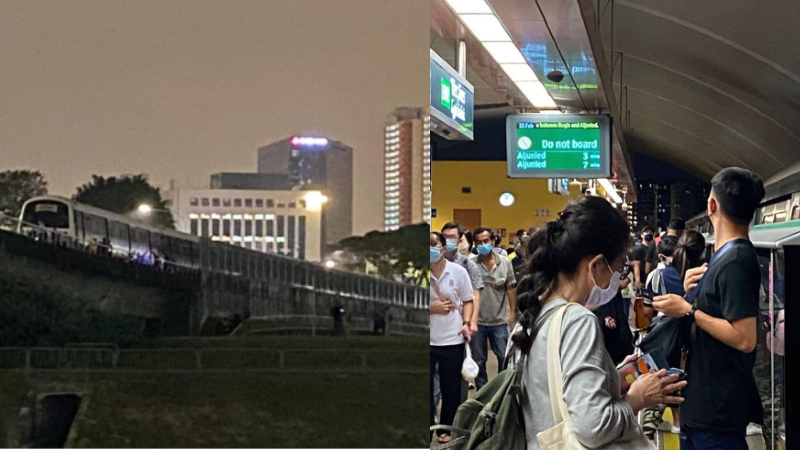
x,y
701,85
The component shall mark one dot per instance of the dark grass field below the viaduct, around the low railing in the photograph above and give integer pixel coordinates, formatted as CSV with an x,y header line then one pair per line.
x,y
247,409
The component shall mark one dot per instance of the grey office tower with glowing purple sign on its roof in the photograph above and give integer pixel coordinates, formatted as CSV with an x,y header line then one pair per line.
x,y
316,163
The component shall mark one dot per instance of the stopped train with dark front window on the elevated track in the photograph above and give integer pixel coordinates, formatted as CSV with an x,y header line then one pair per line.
x,y
79,224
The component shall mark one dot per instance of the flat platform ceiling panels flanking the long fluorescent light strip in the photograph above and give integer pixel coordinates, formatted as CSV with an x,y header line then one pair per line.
x,y
551,36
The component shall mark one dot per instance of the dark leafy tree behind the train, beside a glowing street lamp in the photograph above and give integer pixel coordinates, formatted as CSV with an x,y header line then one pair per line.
x,y
123,195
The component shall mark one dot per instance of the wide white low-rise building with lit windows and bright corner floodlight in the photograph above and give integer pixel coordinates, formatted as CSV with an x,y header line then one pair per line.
x,y
286,222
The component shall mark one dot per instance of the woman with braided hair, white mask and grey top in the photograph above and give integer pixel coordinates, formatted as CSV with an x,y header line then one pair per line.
x,y
577,260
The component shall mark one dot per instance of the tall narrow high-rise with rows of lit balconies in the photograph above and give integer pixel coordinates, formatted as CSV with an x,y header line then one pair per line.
x,y
407,168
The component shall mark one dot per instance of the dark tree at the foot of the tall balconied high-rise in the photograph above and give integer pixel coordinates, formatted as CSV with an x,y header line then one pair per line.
x,y
395,254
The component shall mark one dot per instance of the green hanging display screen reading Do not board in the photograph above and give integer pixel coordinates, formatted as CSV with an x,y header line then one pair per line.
x,y
558,146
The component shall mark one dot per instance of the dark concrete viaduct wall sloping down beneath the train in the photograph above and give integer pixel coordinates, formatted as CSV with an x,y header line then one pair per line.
x,y
181,302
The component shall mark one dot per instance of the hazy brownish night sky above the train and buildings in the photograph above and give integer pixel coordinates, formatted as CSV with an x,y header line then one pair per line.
x,y
179,89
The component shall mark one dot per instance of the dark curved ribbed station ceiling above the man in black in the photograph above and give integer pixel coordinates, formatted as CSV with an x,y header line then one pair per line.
x,y
709,84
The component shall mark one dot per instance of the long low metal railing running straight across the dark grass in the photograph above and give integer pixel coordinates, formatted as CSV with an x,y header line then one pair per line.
x,y
209,360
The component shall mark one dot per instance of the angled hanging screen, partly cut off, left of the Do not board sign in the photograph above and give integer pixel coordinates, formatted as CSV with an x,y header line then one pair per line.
x,y
452,99
